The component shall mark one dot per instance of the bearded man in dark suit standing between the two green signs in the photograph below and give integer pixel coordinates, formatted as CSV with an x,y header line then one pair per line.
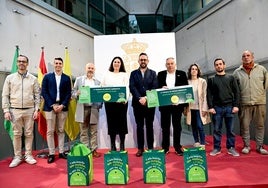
x,y
141,80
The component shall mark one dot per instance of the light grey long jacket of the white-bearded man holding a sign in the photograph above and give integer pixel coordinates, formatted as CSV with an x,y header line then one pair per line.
x,y
79,113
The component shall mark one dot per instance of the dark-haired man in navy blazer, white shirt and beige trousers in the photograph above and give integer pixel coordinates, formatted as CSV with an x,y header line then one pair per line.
x,y
56,91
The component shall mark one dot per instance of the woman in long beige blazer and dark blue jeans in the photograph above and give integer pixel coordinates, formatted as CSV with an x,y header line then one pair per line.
x,y
197,113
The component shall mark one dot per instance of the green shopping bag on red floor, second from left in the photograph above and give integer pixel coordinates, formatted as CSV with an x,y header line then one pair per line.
x,y
116,167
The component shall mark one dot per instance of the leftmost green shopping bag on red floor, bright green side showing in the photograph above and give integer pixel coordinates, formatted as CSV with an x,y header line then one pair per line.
x,y
80,165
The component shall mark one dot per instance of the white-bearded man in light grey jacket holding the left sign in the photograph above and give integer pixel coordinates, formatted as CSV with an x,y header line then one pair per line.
x,y
87,114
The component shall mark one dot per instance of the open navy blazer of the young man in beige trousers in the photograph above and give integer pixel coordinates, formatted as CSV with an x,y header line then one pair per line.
x,y
49,91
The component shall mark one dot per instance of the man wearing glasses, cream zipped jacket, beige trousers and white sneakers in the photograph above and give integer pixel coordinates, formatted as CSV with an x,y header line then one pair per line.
x,y
20,103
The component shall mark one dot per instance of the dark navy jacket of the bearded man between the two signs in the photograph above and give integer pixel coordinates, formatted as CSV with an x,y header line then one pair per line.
x,y
138,85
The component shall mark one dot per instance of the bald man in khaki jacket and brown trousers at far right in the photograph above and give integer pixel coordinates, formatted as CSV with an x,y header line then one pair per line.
x,y
253,82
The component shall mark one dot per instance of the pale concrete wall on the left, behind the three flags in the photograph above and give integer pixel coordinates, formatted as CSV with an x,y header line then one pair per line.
x,y
36,27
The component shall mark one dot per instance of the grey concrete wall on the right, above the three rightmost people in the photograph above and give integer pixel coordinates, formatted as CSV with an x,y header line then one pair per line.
x,y
235,26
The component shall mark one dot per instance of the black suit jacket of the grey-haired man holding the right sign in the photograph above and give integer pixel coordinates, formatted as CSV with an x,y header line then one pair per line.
x,y
180,80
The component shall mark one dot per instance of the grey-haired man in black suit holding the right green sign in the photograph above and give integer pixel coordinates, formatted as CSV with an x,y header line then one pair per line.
x,y
167,79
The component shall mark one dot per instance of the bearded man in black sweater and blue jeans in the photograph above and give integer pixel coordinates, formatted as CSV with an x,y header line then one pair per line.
x,y
223,101
